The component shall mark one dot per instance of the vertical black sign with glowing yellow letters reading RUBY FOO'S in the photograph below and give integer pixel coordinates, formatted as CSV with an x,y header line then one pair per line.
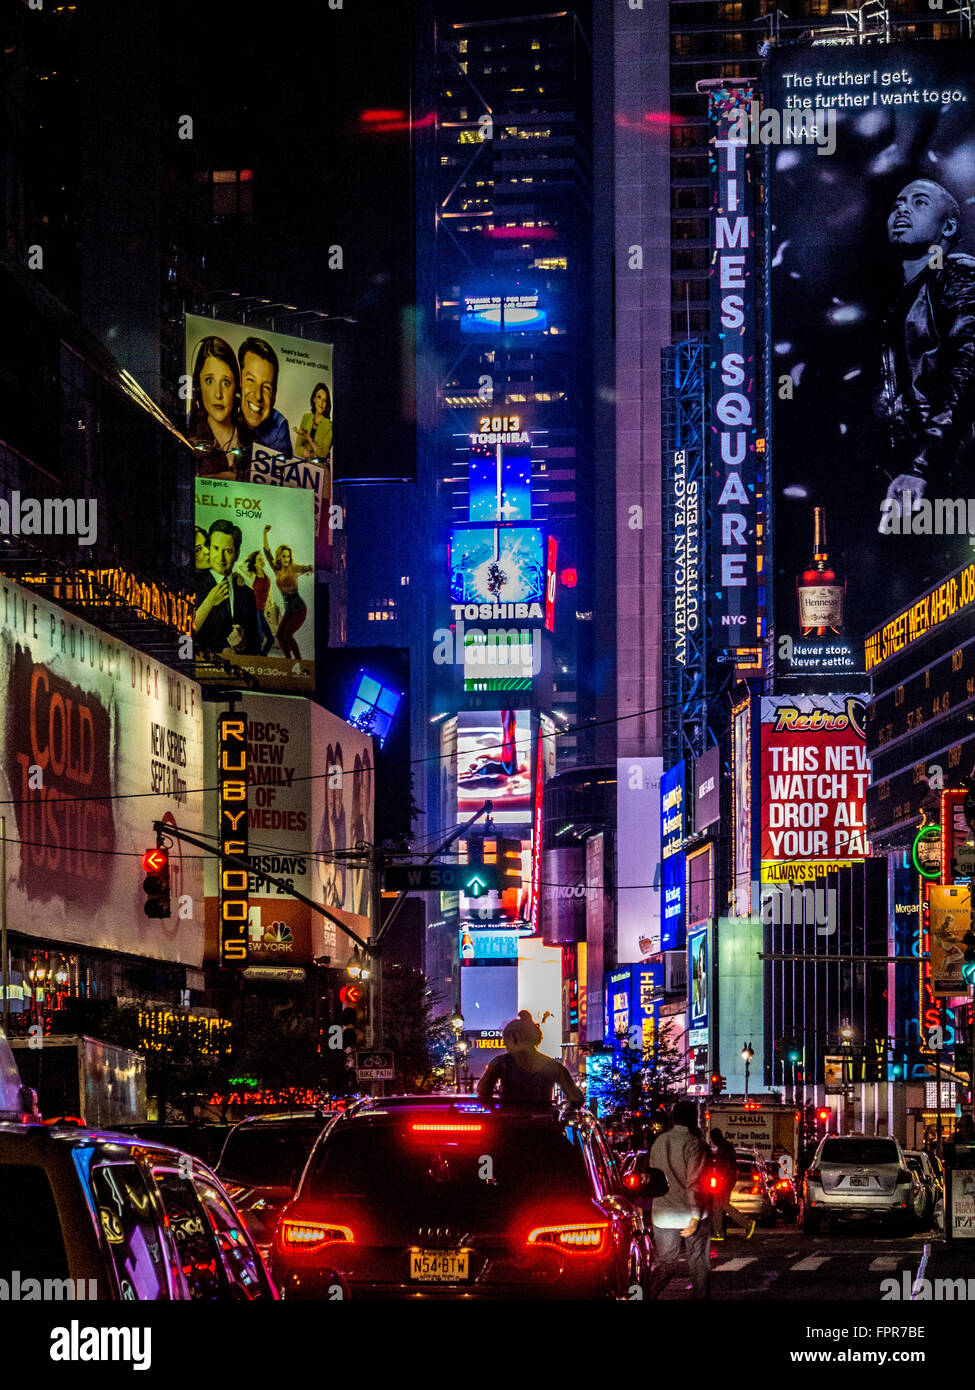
x,y
233,810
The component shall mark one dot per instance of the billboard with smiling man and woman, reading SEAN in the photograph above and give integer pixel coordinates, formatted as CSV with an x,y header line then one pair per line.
x,y
261,409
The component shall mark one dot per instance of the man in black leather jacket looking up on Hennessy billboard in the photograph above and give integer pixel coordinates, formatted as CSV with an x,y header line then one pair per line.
x,y
928,387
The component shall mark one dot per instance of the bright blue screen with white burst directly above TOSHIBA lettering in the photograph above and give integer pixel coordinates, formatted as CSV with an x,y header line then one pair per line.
x,y
497,565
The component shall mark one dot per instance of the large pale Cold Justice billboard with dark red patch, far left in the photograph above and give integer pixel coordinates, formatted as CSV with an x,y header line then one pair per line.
x,y
98,742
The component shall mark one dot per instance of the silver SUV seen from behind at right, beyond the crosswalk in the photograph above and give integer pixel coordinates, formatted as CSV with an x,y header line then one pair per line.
x,y
856,1178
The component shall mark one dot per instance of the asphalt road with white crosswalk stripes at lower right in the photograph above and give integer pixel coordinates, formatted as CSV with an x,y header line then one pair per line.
x,y
848,1264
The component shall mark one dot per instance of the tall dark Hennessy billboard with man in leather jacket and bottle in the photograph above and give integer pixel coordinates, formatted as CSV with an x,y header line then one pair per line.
x,y
873,341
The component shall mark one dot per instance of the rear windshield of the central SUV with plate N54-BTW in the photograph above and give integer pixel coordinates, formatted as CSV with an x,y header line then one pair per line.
x,y
392,1166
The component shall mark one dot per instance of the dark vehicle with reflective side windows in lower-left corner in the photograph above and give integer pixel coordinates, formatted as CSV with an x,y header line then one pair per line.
x,y
113,1217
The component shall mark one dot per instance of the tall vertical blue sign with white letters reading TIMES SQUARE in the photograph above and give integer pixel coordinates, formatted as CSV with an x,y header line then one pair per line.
x,y
735,491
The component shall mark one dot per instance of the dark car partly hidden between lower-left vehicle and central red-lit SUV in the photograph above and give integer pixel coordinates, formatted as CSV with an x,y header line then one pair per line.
x,y
261,1164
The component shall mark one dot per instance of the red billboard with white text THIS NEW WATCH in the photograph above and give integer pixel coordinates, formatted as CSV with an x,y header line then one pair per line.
x,y
814,772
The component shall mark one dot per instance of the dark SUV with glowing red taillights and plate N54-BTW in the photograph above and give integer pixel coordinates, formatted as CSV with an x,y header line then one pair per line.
x,y
444,1196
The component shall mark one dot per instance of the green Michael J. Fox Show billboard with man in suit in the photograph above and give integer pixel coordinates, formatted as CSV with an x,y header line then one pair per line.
x,y
255,584
